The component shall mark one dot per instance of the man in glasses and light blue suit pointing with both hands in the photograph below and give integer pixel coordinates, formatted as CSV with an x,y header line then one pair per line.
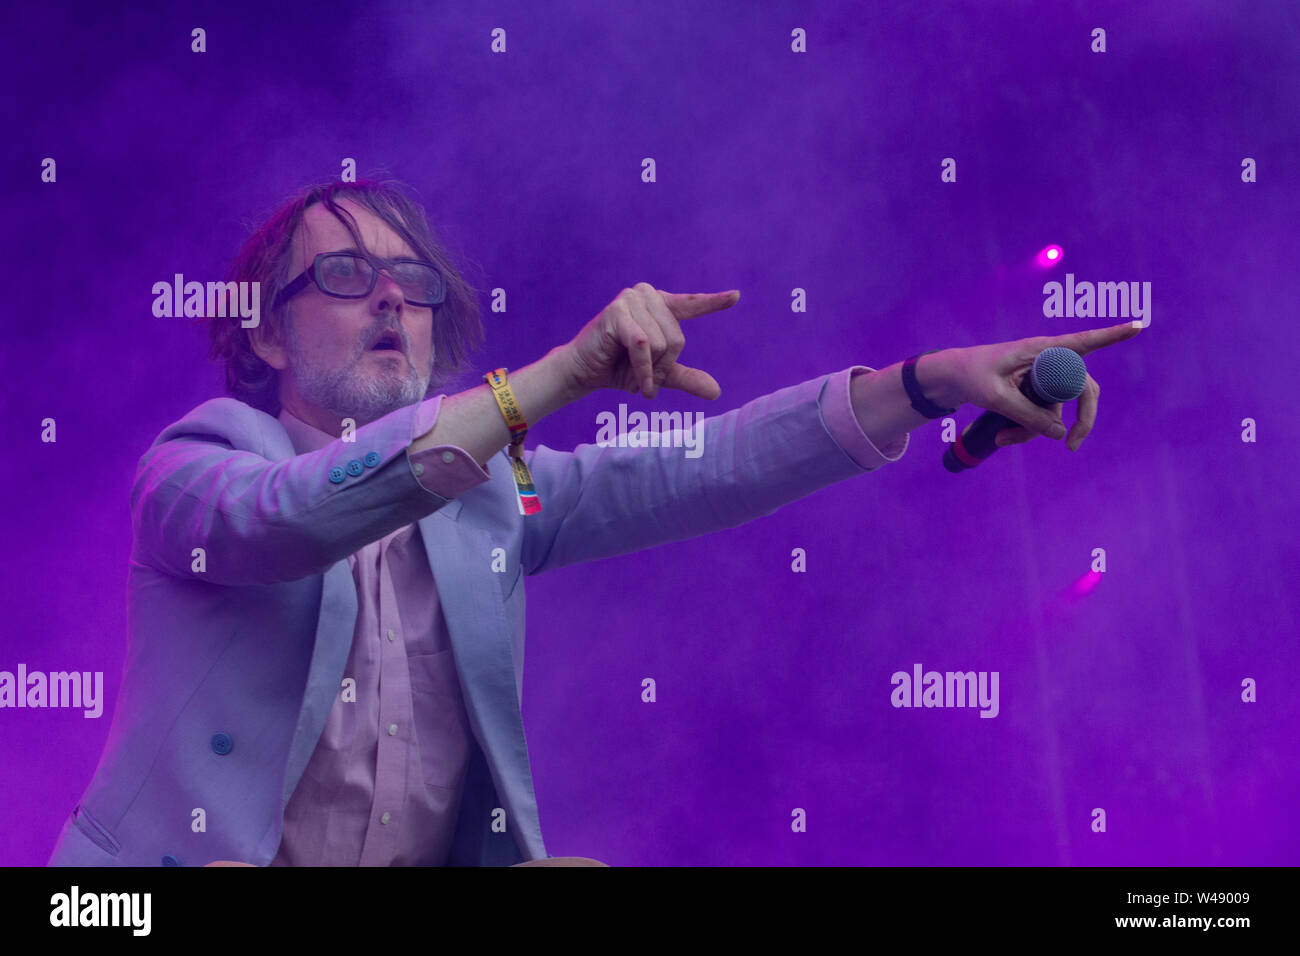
x,y
326,589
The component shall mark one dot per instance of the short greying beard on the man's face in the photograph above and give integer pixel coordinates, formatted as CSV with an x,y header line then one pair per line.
x,y
350,392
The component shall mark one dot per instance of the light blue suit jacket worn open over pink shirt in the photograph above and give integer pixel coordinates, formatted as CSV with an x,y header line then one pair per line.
x,y
231,672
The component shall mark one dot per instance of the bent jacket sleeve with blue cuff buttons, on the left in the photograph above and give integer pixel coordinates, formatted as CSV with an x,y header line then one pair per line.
x,y
209,483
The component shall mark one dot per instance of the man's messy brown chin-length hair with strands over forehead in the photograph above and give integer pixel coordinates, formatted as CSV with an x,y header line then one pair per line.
x,y
266,258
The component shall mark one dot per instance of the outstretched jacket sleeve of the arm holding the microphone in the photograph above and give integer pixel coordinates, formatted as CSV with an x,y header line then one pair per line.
x,y
601,501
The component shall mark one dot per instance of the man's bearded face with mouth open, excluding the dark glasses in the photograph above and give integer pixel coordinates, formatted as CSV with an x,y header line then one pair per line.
x,y
330,369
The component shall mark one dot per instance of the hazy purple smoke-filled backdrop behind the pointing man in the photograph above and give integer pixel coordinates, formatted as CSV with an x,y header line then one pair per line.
x,y
775,171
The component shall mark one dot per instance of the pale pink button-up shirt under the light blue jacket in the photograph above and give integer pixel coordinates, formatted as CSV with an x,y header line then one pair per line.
x,y
383,788
